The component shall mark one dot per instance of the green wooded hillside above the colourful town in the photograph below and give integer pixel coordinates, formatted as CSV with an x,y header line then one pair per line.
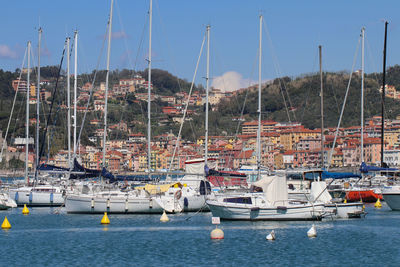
x,y
283,99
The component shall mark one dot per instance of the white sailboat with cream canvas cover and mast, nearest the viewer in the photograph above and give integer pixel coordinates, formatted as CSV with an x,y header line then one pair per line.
x,y
272,202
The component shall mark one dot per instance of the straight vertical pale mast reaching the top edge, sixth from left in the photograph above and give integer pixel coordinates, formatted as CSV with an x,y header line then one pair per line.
x,y
149,93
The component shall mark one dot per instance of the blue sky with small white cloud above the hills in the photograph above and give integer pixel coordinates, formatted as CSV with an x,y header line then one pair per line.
x,y
292,32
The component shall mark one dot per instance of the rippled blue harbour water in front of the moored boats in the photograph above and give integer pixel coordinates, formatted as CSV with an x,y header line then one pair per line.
x,y
45,238
